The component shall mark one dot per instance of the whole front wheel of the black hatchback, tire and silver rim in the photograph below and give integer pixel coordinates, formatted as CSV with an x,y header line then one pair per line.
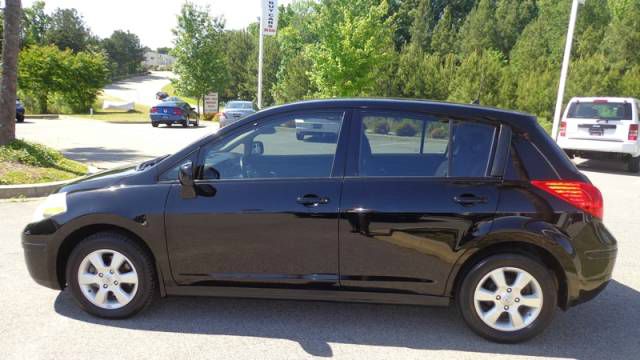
x,y
111,276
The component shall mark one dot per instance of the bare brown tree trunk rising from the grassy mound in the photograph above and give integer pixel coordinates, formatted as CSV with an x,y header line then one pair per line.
x,y
8,82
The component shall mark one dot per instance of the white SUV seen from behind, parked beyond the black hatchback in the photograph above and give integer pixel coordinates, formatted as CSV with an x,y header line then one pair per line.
x,y
602,128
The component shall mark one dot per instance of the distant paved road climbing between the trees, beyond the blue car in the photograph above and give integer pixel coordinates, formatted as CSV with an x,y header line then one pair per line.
x,y
140,89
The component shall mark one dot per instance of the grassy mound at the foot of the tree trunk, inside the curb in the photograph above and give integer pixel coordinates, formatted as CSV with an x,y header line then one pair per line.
x,y
28,163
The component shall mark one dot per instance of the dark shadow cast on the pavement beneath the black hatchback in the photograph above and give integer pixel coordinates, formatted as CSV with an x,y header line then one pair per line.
x,y
606,327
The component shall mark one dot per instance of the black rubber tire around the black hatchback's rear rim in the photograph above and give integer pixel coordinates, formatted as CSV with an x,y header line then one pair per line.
x,y
535,268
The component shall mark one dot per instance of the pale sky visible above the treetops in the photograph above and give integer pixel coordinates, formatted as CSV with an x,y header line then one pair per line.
x,y
152,20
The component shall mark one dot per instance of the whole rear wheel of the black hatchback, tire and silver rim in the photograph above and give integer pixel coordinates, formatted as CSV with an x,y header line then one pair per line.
x,y
508,298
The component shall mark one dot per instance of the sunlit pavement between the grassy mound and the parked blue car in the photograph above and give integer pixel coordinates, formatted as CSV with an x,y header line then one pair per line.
x,y
107,145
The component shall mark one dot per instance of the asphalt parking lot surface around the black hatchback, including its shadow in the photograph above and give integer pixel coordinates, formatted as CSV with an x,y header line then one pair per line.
x,y
38,323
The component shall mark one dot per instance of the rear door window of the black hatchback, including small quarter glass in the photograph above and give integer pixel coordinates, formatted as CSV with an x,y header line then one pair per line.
x,y
406,144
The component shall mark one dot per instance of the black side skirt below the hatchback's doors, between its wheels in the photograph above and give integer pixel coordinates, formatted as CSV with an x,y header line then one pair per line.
x,y
306,294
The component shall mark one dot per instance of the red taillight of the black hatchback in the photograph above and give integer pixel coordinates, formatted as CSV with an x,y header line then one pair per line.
x,y
579,194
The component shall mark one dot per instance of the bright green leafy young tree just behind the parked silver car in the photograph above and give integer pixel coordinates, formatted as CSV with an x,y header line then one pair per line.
x,y
200,61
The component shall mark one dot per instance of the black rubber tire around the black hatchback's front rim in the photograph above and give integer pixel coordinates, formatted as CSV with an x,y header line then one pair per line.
x,y
139,257
